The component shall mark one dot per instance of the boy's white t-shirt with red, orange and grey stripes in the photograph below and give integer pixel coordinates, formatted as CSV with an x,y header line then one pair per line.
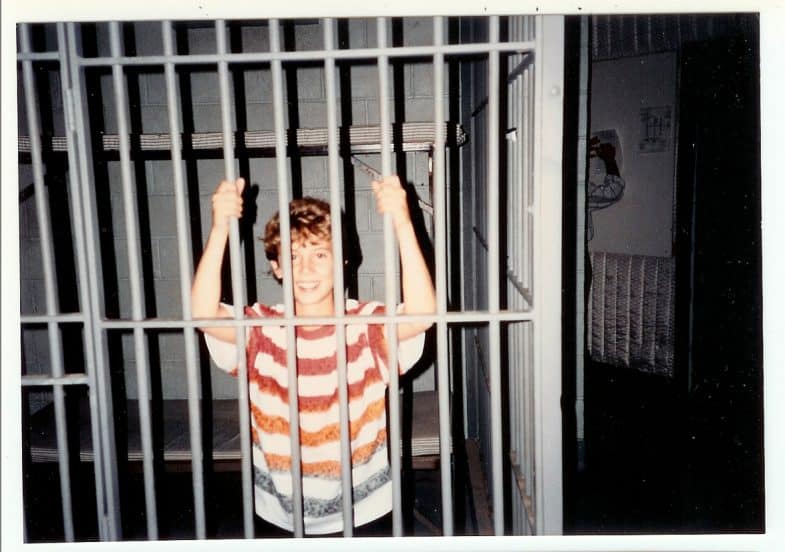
x,y
367,376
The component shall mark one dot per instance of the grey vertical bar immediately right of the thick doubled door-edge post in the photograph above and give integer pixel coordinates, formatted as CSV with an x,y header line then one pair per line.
x,y
135,283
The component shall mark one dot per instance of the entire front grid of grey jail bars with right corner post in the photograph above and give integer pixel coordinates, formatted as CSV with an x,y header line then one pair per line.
x,y
522,313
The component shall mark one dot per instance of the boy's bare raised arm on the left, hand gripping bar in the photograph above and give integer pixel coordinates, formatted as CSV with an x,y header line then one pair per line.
x,y
206,288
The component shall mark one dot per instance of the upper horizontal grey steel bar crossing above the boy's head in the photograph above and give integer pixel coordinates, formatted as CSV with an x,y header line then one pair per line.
x,y
310,55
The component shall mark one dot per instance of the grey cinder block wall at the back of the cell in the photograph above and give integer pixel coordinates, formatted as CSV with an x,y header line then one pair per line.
x,y
411,84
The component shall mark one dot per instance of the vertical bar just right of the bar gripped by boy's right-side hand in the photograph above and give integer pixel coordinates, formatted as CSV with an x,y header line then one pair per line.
x,y
440,241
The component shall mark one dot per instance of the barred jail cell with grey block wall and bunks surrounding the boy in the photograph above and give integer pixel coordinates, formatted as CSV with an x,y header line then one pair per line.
x,y
125,129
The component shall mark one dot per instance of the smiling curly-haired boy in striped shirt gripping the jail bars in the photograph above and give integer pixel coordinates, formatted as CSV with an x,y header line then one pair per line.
x,y
317,380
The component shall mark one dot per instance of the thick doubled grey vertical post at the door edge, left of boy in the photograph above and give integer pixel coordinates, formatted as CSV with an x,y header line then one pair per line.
x,y
109,526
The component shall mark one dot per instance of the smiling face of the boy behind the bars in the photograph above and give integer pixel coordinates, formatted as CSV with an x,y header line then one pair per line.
x,y
312,276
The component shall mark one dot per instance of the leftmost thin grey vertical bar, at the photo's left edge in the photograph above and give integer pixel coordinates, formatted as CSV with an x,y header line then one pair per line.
x,y
50,285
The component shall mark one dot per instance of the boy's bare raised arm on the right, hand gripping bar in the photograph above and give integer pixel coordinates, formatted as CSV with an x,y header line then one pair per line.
x,y
419,296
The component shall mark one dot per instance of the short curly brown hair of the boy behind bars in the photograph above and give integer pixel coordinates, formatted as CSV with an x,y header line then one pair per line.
x,y
309,218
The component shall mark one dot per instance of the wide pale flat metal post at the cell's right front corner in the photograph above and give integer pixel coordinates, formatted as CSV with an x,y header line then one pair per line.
x,y
547,351
